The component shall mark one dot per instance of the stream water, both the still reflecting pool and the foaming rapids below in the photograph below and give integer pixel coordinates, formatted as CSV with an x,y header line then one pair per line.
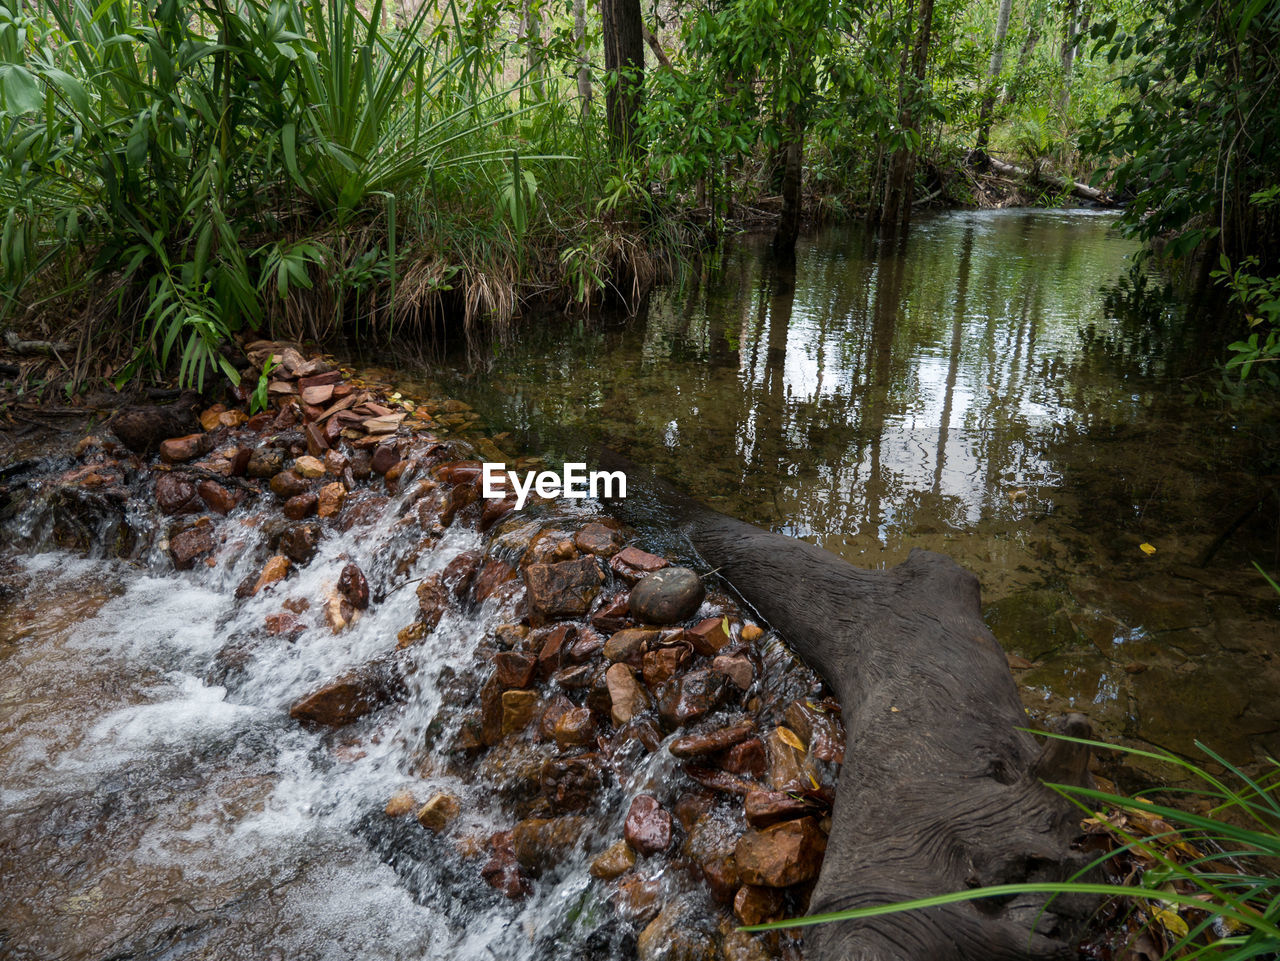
x,y
975,393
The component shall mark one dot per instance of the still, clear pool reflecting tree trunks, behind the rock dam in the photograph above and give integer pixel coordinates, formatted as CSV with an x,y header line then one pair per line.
x,y
976,392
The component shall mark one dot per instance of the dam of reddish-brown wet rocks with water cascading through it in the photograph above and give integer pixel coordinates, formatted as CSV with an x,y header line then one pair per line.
x,y
588,747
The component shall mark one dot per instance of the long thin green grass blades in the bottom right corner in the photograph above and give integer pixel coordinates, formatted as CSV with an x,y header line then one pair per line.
x,y
1214,901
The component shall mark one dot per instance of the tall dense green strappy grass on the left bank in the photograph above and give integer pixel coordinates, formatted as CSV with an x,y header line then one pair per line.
x,y
173,175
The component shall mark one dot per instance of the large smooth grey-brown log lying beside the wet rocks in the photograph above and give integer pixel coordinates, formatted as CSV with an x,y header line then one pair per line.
x,y
940,790
